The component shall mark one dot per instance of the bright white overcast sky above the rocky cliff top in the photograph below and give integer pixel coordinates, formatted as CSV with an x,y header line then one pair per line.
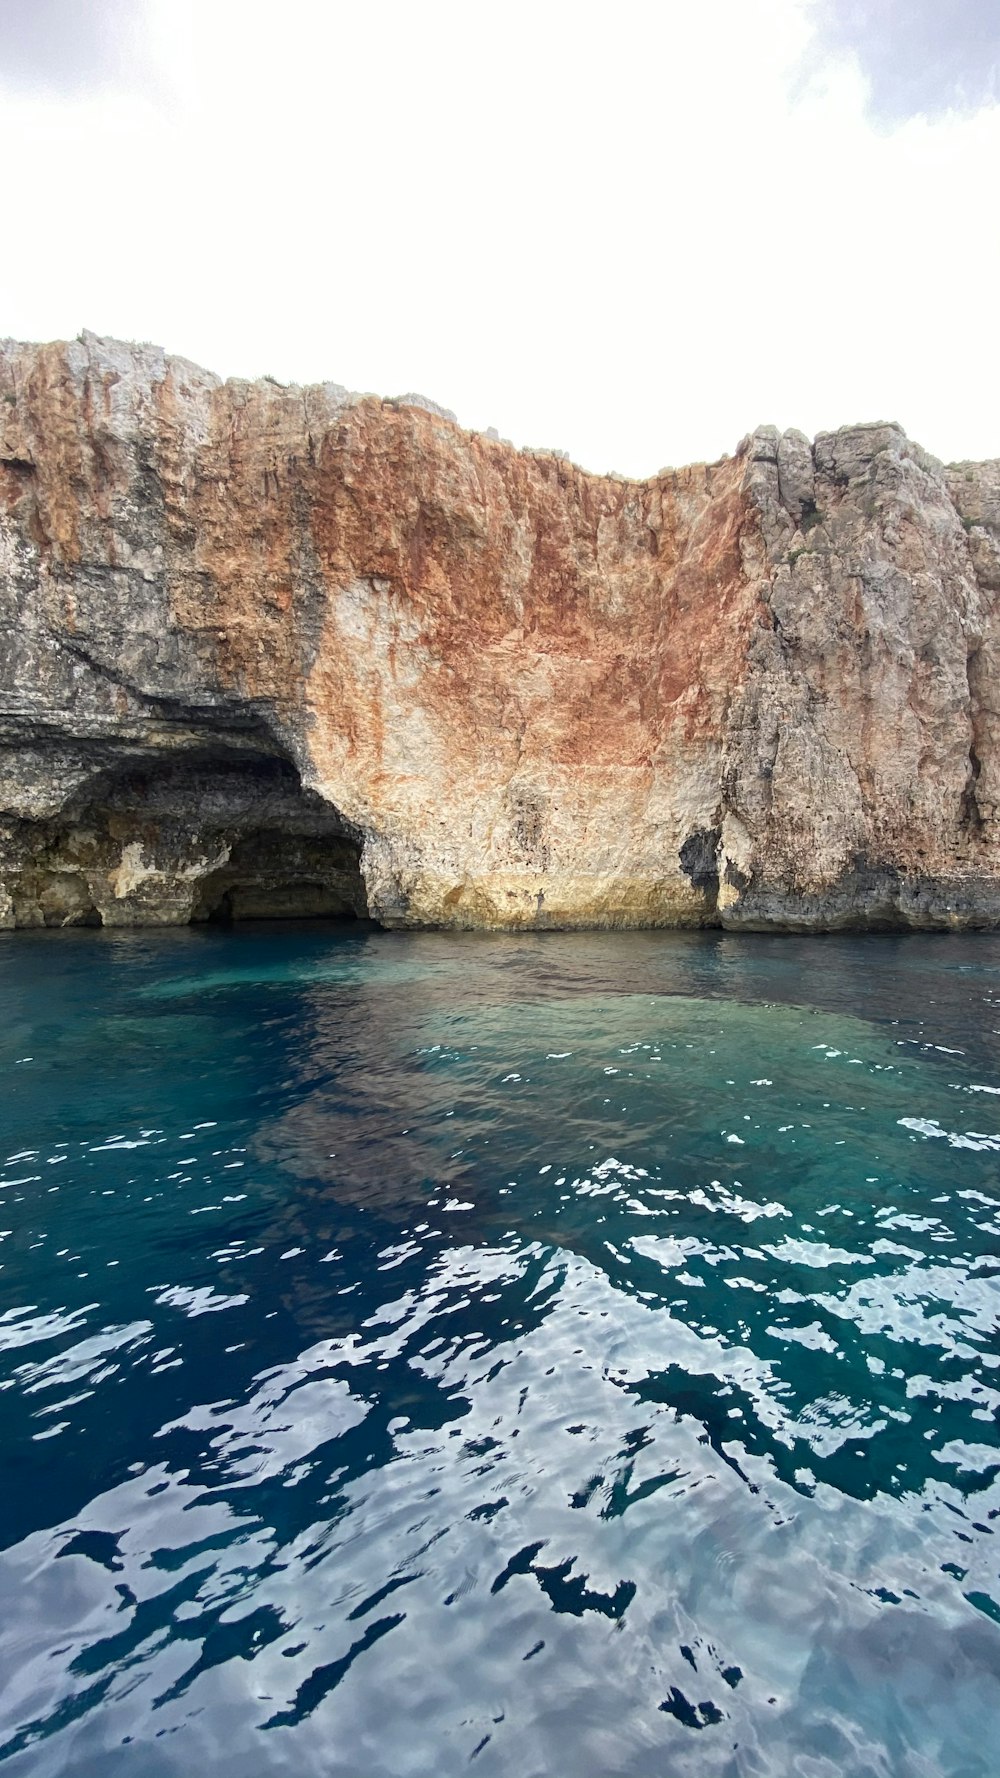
x,y
627,230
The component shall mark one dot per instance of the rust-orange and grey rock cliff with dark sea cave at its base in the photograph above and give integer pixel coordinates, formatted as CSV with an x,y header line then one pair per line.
x,y
271,650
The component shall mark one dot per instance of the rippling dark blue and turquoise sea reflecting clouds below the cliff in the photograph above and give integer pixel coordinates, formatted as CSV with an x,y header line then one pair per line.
x,y
570,1356
